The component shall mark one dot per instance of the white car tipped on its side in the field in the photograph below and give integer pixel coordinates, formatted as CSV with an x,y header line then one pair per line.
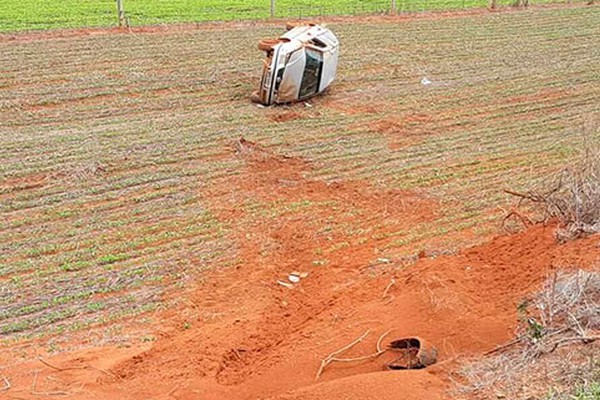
x,y
299,65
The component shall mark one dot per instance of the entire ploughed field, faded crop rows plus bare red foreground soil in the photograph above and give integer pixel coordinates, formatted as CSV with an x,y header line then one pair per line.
x,y
148,209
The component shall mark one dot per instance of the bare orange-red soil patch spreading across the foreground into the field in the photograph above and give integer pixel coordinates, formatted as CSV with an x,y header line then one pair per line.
x,y
253,338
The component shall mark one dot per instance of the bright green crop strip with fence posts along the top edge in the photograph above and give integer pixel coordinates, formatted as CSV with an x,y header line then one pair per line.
x,y
16,15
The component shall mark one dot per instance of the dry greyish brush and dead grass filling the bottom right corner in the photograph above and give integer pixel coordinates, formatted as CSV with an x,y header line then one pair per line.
x,y
555,351
